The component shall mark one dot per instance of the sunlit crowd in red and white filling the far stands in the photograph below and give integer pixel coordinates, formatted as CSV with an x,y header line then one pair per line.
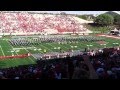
x,y
27,22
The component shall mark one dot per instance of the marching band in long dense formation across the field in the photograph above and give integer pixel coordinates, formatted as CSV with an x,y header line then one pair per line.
x,y
49,39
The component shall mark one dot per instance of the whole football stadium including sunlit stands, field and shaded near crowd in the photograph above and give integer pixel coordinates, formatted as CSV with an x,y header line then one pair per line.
x,y
38,41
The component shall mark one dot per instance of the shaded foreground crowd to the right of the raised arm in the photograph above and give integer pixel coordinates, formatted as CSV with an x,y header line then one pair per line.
x,y
107,63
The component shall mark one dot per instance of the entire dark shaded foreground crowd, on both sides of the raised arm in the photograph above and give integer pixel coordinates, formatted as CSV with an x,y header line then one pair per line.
x,y
106,63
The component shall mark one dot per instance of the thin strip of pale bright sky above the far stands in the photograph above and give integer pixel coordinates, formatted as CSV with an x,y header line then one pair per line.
x,y
78,12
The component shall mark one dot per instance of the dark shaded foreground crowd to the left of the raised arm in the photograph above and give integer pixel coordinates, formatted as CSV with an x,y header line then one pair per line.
x,y
67,68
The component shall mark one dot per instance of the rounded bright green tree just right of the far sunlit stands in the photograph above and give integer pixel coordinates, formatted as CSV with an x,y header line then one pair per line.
x,y
104,20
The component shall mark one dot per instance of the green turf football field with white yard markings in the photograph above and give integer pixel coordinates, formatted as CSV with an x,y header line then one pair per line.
x,y
6,48
